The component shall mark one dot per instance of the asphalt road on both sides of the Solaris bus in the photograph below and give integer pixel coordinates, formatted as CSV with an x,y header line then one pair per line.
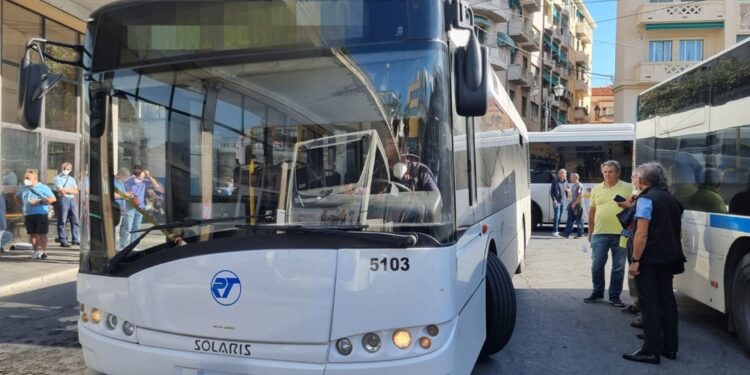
x,y
556,333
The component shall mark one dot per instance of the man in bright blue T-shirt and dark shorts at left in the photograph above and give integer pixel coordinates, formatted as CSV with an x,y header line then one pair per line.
x,y
34,199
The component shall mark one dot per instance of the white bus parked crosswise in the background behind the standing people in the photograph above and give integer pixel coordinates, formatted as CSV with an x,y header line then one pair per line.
x,y
579,148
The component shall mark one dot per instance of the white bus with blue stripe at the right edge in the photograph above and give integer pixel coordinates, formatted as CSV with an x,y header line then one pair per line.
x,y
697,125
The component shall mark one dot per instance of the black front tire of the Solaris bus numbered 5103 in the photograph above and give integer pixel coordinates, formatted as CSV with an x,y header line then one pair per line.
x,y
500,306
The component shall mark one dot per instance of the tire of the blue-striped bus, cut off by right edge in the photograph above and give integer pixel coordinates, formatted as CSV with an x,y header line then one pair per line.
x,y
741,301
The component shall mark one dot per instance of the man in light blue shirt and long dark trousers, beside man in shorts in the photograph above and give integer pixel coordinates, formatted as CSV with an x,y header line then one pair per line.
x,y
67,205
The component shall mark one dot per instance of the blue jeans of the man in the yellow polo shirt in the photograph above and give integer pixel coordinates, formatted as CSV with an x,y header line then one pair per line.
x,y
600,245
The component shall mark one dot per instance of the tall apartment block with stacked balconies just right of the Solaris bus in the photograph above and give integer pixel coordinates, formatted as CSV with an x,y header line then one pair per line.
x,y
534,46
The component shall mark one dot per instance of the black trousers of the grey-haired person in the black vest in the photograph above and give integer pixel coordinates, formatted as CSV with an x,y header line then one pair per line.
x,y
659,308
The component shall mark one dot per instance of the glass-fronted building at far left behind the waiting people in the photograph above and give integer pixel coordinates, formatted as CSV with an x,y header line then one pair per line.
x,y
58,139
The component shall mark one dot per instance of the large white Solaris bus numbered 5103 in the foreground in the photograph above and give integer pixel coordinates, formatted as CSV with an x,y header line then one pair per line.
x,y
346,188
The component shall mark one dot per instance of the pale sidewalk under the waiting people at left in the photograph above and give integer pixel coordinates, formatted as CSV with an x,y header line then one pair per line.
x,y
20,274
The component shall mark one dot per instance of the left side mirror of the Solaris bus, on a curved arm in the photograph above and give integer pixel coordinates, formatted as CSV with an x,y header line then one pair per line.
x,y
34,82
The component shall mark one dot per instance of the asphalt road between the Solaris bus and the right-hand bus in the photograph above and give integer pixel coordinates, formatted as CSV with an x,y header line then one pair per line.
x,y
556,333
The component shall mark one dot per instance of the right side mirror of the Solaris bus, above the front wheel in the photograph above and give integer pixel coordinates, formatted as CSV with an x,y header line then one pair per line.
x,y
471,79
